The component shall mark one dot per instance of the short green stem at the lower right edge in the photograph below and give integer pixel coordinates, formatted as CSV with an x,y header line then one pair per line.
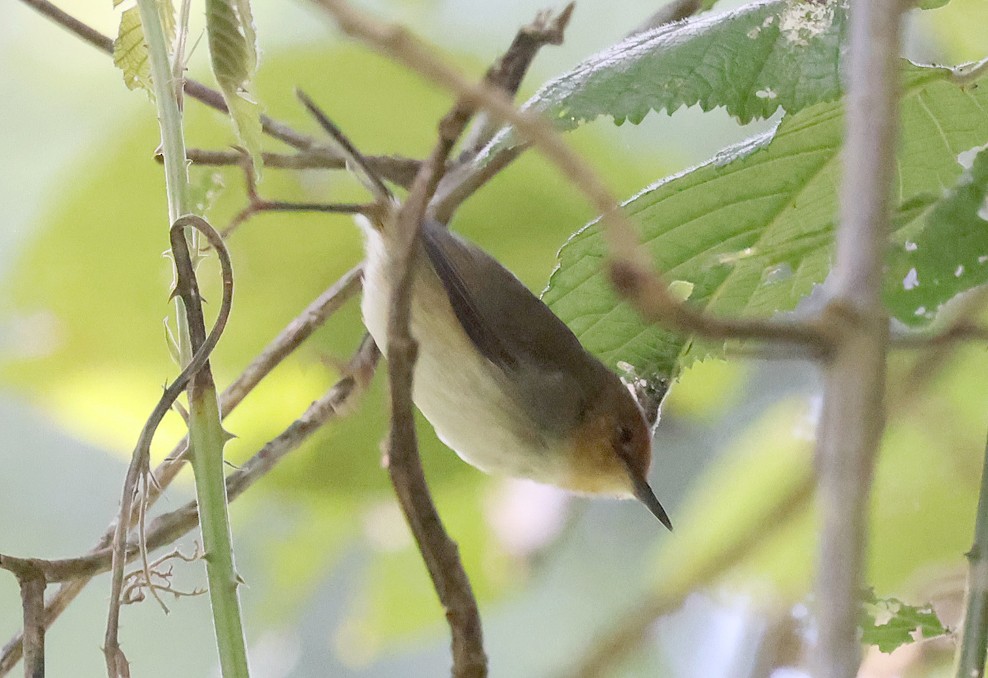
x,y
974,639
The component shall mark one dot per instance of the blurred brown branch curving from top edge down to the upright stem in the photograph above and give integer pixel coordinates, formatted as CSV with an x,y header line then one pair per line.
x,y
629,265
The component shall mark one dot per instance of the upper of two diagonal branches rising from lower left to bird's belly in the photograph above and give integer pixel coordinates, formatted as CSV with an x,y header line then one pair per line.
x,y
297,331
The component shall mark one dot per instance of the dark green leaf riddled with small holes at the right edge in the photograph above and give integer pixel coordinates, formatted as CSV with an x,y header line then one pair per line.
x,y
949,253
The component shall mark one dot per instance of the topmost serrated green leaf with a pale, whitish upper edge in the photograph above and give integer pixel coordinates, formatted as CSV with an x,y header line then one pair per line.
x,y
752,61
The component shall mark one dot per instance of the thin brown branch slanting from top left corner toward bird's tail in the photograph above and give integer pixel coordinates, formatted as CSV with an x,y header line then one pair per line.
x,y
394,168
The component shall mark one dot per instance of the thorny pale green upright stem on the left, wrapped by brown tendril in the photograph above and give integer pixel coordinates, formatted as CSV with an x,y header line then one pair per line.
x,y
206,434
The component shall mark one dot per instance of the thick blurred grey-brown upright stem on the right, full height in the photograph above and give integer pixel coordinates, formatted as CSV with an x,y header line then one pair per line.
x,y
853,416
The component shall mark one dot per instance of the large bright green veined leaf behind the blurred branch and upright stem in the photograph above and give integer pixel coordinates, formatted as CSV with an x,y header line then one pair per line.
x,y
752,230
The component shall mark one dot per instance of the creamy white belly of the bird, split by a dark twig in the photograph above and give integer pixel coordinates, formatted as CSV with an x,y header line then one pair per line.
x,y
458,390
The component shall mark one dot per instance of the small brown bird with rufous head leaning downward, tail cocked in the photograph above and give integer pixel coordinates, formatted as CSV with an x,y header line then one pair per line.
x,y
503,381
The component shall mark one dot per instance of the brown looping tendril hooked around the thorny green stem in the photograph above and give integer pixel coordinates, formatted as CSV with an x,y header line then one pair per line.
x,y
138,468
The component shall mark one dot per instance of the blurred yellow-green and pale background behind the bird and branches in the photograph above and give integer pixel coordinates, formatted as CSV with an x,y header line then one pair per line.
x,y
335,586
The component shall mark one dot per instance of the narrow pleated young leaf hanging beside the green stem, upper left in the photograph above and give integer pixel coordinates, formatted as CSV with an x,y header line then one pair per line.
x,y
233,51
